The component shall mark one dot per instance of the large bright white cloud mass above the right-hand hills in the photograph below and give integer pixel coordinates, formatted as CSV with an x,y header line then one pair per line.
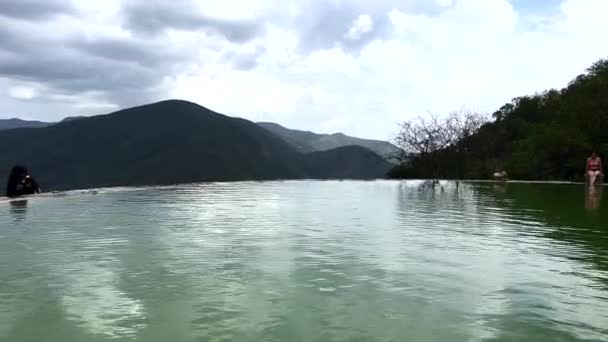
x,y
475,54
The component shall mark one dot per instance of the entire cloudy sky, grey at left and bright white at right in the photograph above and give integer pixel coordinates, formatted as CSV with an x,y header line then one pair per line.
x,y
357,66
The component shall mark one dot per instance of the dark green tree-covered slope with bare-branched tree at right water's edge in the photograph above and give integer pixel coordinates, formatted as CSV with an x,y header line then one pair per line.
x,y
546,136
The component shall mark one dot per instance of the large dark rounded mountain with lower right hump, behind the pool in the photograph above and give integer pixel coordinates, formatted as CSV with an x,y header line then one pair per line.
x,y
171,142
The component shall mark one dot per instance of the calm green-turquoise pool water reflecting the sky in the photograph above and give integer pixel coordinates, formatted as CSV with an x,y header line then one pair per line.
x,y
307,261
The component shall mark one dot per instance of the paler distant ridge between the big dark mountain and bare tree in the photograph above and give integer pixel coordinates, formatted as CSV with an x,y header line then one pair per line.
x,y
308,142
